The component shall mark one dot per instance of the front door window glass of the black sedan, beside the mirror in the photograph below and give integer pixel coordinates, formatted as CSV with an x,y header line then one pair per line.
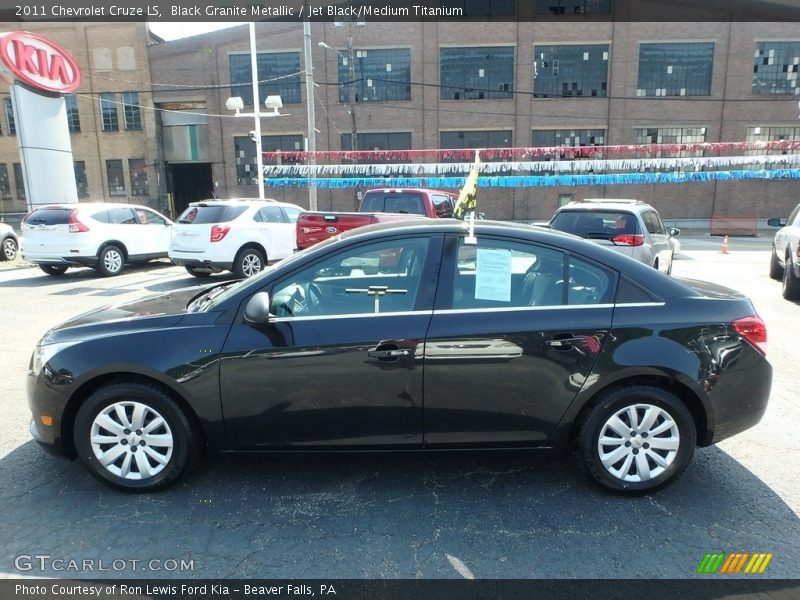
x,y
374,278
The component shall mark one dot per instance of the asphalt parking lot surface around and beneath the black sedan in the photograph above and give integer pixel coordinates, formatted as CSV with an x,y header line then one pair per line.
x,y
444,516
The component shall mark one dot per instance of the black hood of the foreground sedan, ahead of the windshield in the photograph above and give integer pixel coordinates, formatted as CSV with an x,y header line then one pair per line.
x,y
153,312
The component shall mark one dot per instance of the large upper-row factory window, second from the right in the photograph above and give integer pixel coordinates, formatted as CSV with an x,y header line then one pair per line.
x,y
675,69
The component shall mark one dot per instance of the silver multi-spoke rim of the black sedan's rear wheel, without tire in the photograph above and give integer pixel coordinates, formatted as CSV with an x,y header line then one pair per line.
x,y
638,442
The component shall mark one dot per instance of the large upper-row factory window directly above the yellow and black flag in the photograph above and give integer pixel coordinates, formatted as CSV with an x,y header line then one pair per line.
x,y
479,73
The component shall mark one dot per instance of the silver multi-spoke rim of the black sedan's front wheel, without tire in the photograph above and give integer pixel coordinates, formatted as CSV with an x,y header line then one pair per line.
x,y
131,440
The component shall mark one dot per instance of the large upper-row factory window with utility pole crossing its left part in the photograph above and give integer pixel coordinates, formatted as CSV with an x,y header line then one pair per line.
x,y
380,75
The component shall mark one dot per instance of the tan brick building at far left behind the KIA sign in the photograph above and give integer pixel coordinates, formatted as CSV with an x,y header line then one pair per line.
x,y
111,121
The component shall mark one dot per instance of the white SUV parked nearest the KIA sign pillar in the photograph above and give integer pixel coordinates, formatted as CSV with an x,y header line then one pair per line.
x,y
102,235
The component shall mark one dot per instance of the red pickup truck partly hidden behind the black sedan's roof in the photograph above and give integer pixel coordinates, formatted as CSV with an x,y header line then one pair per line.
x,y
377,206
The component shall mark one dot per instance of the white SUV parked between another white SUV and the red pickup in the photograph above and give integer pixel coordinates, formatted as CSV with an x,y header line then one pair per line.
x,y
242,236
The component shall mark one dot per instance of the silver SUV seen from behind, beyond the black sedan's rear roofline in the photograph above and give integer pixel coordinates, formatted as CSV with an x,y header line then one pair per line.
x,y
630,227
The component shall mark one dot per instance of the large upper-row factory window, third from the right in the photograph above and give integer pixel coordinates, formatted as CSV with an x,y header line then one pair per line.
x,y
570,71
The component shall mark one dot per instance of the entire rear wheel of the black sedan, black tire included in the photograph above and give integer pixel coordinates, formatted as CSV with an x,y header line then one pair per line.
x,y
672,413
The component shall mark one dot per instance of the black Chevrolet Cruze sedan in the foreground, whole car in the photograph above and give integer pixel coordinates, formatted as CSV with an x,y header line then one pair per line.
x,y
411,337
